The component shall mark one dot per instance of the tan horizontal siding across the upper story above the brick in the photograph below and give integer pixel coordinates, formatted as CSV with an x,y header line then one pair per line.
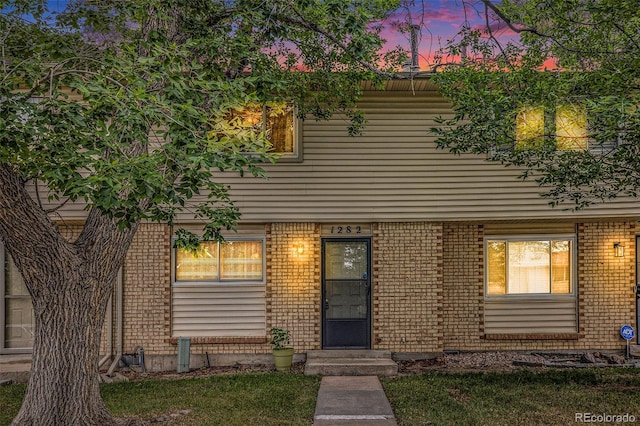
x,y
393,172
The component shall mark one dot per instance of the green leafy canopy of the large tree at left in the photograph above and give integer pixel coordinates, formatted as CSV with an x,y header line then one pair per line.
x,y
158,81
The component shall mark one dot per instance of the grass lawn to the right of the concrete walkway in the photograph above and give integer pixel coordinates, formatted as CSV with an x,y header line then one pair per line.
x,y
524,397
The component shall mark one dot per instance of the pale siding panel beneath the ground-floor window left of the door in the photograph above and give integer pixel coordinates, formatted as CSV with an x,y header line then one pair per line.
x,y
218,310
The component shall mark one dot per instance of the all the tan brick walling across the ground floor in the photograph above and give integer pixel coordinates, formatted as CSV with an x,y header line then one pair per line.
x,y
428,290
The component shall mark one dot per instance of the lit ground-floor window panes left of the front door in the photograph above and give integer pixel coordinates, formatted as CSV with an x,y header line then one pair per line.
x,y
232,260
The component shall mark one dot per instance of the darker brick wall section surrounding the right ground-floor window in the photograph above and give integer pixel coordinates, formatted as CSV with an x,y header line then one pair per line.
x,y
605,291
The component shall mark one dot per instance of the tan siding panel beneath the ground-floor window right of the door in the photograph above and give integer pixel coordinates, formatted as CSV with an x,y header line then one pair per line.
x,y
521,316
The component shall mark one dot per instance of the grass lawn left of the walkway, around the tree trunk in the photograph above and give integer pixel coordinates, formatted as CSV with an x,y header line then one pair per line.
x,y
229,399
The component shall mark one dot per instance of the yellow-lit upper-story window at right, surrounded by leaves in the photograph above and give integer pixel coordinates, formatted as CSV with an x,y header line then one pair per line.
x,y
566,123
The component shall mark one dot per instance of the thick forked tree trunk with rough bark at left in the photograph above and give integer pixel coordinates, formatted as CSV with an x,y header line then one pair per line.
x,y
70,285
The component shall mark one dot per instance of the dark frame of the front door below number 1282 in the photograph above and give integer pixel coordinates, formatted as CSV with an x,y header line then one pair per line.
x,y
369,298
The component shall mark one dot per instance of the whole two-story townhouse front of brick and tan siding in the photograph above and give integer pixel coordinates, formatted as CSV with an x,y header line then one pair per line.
x,y
379,241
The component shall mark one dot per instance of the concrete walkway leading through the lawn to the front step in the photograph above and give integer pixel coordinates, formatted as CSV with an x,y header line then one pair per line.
x,y
352,400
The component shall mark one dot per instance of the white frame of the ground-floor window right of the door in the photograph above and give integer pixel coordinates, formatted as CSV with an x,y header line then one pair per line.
x,y
531,296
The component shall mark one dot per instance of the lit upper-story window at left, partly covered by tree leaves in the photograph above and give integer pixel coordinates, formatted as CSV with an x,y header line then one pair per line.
x,y
280,123
